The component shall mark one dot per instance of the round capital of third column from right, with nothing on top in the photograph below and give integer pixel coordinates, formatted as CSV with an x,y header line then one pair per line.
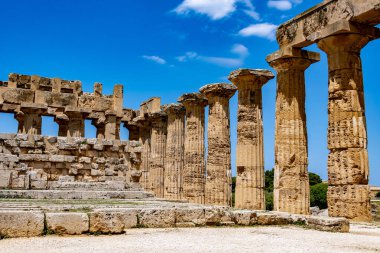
x,y
250,78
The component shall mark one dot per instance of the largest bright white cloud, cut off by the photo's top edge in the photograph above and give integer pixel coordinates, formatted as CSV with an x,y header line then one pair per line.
x,y
216,9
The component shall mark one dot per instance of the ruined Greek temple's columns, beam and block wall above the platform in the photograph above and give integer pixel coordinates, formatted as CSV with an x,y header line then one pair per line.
x,y
165,155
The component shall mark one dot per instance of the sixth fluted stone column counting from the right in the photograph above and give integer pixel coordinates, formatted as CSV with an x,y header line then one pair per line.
x,y
174,151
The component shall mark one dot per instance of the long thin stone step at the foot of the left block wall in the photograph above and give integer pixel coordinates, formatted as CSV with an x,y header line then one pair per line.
x,y
73,194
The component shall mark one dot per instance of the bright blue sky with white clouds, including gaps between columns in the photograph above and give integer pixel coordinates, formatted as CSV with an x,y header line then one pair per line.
x,y
169,47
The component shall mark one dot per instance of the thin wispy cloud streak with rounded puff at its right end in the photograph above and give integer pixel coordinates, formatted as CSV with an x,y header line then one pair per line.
x,y
238,49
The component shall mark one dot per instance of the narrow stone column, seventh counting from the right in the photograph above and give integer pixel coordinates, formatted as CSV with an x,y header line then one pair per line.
x,y
157,152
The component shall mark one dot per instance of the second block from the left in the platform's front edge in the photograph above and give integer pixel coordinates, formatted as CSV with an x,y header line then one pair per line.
x,y
67,223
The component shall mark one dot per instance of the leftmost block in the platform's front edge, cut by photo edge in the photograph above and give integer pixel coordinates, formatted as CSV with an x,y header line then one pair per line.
x,y
21,223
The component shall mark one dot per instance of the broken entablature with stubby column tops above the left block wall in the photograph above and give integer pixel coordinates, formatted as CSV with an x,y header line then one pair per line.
x,y
31,97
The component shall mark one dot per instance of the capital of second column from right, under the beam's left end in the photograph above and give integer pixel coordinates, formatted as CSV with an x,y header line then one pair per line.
x,y
292,58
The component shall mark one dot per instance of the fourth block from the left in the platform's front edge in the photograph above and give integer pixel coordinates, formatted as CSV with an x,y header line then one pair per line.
x,y
157,218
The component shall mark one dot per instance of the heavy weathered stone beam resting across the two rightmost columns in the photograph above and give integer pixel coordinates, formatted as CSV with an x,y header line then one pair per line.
x,y
298,32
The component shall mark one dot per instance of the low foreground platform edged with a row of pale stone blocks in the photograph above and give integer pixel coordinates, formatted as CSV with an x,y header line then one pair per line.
x,y
36,217
